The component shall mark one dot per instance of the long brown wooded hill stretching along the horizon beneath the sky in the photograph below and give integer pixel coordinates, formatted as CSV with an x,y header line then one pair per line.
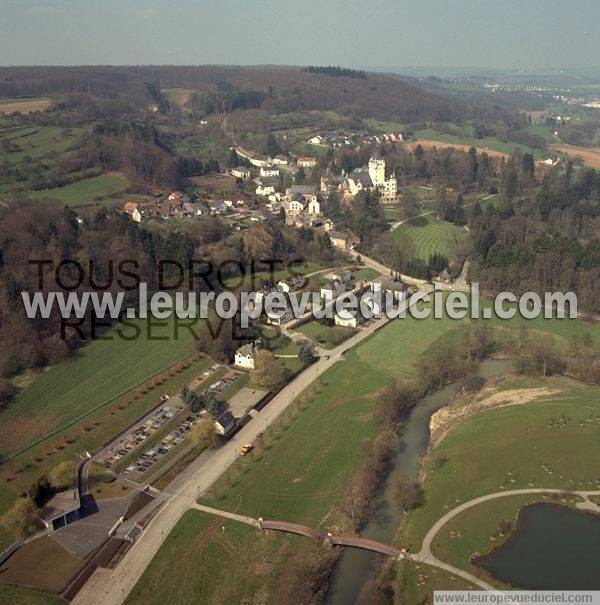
x,y
288,88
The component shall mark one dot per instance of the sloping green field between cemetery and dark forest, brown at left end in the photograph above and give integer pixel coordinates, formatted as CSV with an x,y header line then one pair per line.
x,y
99,372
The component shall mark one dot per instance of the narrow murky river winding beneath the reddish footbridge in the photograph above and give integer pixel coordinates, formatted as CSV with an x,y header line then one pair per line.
x,y
355,567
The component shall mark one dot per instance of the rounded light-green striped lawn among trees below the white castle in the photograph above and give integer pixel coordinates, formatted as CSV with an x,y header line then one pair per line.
x,y
430,236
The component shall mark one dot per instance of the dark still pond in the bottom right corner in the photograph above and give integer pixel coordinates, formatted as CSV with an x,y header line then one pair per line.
x,y
552,548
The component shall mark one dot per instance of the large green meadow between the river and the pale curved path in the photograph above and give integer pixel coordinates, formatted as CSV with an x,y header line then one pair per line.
x,y
512,447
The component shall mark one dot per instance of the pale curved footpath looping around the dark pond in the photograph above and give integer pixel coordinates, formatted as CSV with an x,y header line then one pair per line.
x,y
426,556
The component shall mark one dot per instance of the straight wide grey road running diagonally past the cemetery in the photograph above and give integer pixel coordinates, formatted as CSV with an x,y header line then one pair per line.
x,y
109,587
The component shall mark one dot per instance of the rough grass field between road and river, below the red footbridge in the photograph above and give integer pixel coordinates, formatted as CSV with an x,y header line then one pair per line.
x,y
218,562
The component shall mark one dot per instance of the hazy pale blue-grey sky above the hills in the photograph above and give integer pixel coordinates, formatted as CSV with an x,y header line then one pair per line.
x,y
504,34
